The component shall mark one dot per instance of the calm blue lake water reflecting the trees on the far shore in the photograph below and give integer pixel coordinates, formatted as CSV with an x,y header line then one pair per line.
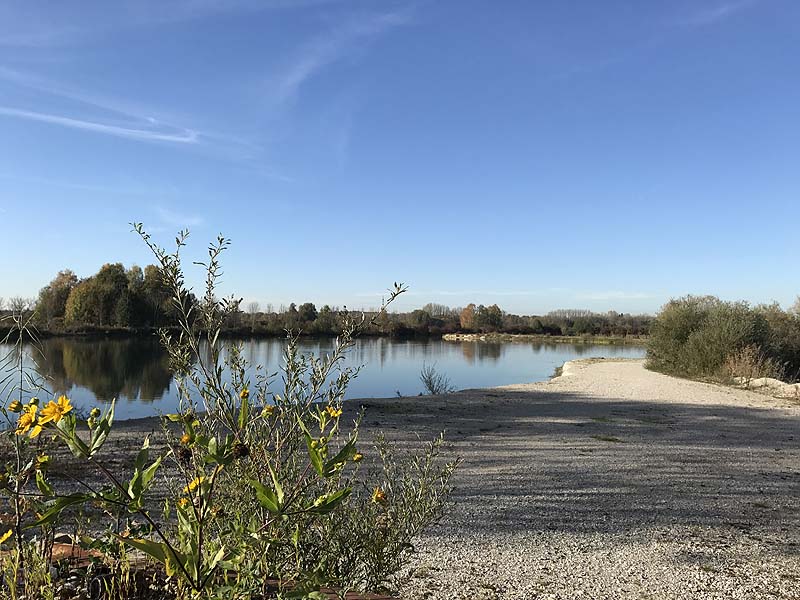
x,y
135,371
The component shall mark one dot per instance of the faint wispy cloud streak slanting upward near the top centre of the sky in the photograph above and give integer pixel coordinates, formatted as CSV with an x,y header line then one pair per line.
x,y
329,48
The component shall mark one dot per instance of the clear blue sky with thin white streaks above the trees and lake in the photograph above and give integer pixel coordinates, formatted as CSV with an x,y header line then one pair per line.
x,y
603,155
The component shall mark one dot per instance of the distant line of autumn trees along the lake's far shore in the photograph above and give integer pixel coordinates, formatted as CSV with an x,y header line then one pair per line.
x,y
136,299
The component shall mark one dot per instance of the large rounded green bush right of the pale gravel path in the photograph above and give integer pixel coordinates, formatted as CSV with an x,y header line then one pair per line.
x,y
698,336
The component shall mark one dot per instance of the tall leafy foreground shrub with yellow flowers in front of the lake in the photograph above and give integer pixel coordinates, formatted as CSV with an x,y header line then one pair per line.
x,y
264,487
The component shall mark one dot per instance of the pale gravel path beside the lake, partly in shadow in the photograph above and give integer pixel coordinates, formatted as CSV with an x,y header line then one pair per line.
x,y
610,482
